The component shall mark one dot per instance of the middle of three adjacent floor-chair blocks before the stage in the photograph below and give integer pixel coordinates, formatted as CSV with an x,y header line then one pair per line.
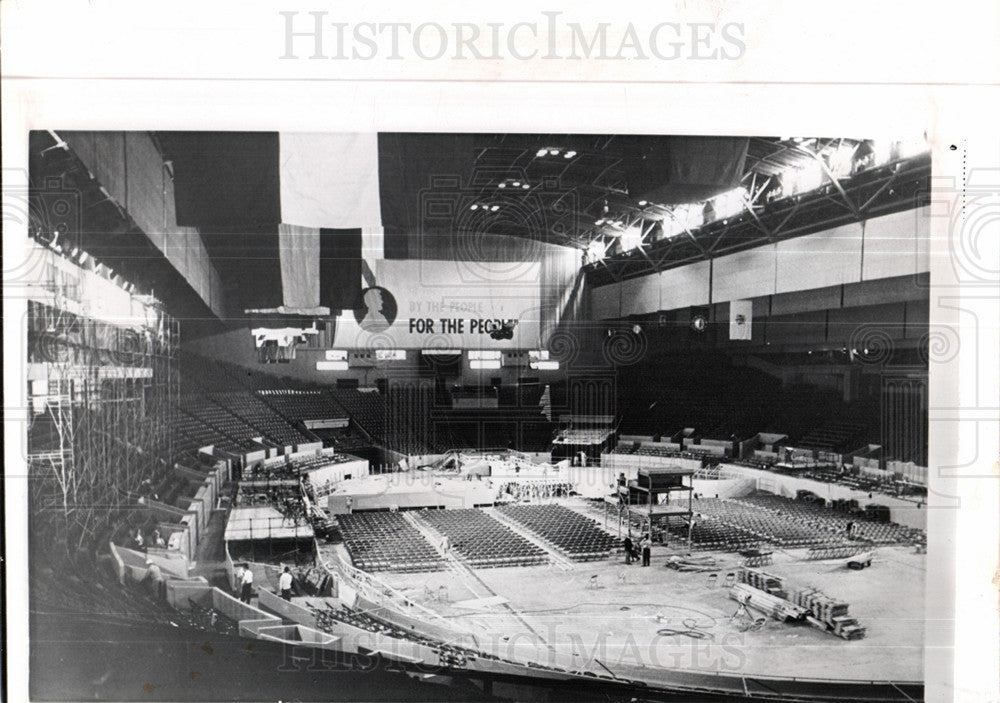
x,y
481,540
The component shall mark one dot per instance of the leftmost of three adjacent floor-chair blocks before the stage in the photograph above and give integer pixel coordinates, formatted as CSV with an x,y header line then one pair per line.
x,y
385,541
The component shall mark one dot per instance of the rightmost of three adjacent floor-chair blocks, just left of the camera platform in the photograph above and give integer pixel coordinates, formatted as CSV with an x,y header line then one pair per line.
x,y
573,534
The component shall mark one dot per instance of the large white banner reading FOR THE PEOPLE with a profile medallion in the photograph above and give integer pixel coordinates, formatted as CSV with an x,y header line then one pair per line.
x,y
419,304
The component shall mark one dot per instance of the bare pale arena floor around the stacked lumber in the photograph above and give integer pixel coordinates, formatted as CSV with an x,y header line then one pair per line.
x,y
632,620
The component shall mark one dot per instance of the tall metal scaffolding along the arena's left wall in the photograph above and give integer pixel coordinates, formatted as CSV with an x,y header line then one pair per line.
x,y
101,395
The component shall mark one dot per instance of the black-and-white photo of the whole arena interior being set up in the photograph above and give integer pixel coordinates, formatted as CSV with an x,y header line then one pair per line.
x,y
444,379
